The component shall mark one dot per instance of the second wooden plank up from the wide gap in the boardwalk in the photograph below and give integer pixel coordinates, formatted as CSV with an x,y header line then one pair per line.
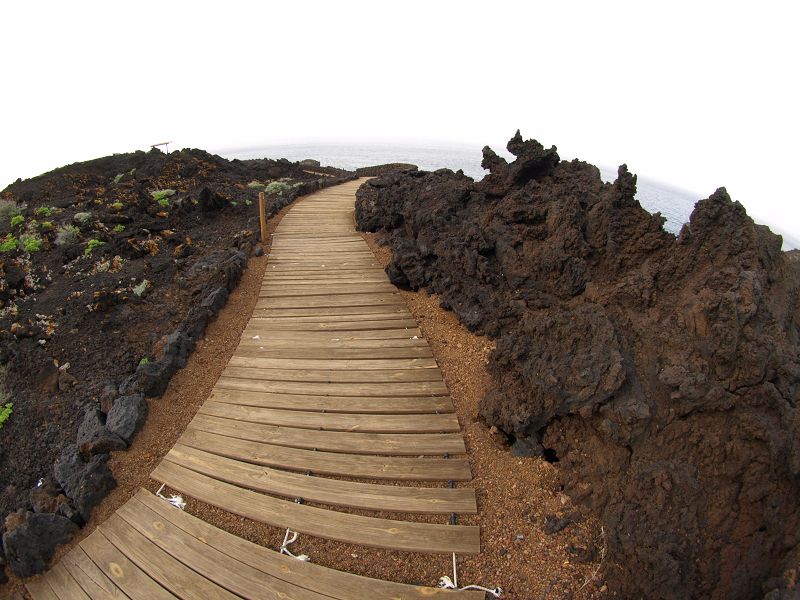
x,y
333,492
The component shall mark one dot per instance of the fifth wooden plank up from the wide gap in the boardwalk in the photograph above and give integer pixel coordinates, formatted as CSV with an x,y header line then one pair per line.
x,y
369,423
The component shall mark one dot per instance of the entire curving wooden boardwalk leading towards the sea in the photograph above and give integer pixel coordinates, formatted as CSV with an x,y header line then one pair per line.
x,y
331,388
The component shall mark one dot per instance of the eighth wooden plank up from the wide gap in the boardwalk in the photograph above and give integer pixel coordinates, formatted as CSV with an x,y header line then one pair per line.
x,y
416,376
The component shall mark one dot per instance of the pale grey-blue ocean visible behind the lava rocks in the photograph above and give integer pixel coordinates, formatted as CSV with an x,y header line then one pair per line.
x,y
673,203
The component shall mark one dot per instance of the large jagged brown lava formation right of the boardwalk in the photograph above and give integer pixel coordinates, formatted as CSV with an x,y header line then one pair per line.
x,y
661,371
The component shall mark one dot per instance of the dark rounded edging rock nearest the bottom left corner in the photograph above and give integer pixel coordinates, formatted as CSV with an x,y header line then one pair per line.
x,y
30,544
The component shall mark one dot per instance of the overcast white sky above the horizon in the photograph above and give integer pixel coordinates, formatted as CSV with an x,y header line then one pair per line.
x,y
695,94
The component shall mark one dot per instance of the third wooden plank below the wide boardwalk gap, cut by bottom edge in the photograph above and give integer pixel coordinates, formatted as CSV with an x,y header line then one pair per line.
x,y
166,570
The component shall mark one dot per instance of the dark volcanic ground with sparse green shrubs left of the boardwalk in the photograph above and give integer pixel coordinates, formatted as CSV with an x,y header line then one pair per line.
x,y
77,318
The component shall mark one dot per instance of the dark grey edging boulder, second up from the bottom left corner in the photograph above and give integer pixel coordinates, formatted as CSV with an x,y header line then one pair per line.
x,y
85,482
